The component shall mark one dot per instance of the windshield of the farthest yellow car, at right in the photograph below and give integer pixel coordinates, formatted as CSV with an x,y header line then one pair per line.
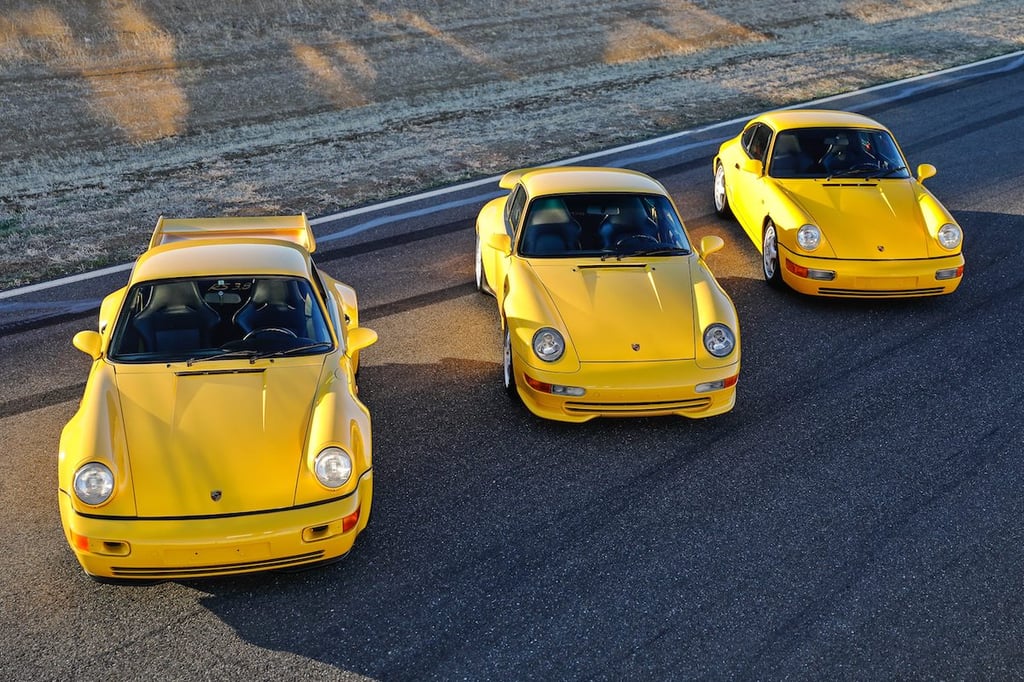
x,y
826,153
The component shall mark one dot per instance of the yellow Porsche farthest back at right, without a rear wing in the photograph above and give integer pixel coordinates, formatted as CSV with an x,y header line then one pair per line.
x,y
830,201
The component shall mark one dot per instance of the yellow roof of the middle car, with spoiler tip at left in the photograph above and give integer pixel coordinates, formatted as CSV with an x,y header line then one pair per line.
x,y
582,180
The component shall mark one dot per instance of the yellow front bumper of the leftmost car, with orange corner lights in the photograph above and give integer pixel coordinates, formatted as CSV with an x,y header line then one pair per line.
x,y
187,548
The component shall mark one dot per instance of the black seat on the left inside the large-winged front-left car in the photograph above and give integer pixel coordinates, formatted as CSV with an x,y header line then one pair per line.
x,y
177,319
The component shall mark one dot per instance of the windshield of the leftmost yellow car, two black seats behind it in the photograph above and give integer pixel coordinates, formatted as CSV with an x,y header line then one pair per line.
x,y
207,319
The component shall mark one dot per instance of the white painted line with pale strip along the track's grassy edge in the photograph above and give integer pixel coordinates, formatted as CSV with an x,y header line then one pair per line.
x,y
1014,60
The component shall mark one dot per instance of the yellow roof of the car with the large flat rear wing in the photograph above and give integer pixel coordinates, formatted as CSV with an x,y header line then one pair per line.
x,y
223,259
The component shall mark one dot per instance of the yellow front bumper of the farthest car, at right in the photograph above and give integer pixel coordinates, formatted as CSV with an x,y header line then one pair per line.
x,y
872,279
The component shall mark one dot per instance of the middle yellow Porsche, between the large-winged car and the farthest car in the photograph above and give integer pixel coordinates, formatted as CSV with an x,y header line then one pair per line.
x,y
608,309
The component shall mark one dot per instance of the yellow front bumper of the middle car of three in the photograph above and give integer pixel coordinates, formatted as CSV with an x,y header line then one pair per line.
x,y
629,390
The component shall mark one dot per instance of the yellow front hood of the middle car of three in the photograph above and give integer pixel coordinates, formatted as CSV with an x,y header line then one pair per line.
x,y
624,311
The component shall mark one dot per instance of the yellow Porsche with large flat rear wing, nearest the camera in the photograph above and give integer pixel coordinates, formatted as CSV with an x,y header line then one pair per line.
x,y
220,432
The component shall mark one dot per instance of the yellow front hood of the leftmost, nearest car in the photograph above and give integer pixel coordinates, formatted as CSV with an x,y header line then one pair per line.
x,y
209,441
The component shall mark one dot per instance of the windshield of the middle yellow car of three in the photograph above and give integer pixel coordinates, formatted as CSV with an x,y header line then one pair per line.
x,y
602,225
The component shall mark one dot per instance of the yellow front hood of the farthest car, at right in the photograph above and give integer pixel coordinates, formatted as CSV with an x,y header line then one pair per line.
x,y
865,221
